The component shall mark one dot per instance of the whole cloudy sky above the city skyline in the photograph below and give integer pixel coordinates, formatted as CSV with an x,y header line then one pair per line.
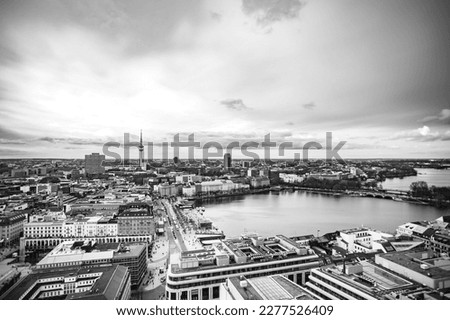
x,y
77,74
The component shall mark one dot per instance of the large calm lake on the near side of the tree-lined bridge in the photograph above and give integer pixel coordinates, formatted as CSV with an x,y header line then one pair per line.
x,y
301,213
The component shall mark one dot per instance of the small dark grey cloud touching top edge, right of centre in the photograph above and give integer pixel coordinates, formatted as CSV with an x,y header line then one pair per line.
x,y
268,12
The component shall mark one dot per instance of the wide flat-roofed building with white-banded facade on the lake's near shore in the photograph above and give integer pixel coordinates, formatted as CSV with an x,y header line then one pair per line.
x,y
200,273
